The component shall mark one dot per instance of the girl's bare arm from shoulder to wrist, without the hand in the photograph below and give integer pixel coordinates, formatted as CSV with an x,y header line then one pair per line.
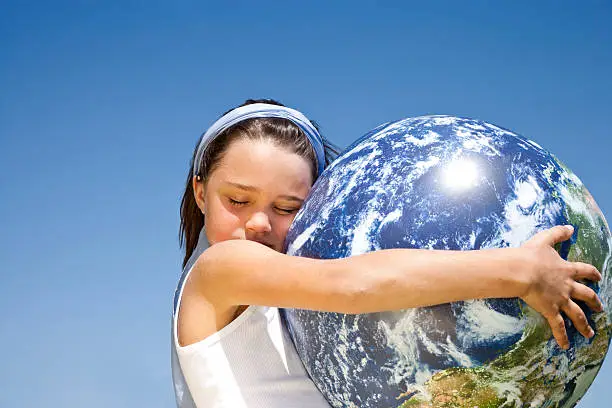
x,y
244,272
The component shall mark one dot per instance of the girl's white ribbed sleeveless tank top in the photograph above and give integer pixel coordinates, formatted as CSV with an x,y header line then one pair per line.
x,y
251,362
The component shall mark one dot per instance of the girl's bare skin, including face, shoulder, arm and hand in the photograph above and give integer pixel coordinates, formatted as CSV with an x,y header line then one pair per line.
x,y
249,202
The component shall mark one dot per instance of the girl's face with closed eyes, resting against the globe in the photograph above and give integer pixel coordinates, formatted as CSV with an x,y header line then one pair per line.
x,y
254,193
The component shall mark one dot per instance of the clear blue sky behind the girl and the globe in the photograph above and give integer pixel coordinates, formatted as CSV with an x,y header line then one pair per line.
x,y
101,103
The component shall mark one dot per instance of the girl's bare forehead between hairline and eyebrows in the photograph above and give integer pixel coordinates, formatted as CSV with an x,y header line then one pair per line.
x,y
263,165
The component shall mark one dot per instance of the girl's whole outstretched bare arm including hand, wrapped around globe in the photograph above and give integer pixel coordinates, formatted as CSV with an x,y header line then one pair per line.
x,y
243,272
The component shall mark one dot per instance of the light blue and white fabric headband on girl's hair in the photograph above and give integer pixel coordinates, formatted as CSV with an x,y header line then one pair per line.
x,y
262,110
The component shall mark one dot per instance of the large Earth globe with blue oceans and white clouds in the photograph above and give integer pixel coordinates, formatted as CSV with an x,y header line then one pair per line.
x,y
442,182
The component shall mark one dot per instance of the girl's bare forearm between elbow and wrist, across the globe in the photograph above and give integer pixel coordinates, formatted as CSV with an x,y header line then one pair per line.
x,y
399,279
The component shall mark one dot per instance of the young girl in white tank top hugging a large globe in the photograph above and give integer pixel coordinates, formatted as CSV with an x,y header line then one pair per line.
x,y
251,172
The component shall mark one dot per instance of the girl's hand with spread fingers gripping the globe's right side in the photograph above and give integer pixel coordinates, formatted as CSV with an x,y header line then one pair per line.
x,y
553,284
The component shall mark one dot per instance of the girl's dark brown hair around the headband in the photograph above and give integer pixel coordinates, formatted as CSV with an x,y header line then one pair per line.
x,y
282,132
